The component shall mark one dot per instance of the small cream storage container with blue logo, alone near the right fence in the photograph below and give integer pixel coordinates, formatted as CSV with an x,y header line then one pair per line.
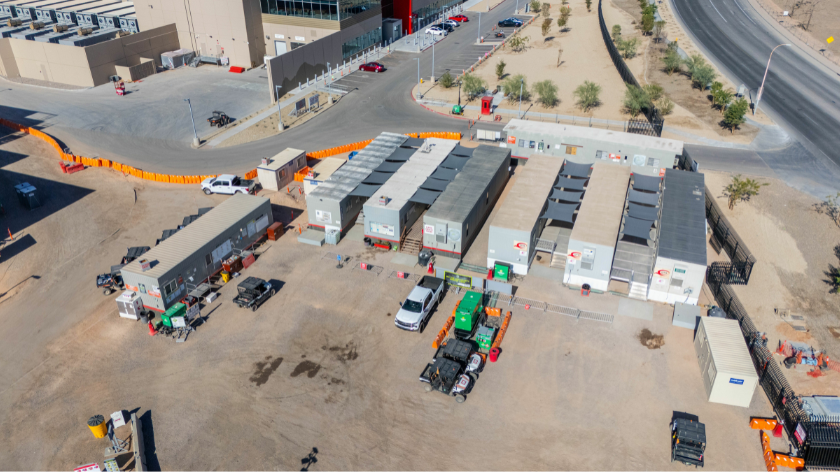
x,y
725,364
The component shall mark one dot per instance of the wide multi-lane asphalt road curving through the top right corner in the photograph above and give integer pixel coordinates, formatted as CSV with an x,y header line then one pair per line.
x,y
800,94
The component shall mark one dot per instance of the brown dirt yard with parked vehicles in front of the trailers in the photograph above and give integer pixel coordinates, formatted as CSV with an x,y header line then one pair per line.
x,y
321,364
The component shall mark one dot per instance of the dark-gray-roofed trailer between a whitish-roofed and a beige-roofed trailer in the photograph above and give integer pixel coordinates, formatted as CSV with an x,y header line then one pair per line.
x,y
455,219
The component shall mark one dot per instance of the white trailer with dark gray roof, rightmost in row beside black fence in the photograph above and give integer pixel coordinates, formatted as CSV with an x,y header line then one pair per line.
x,y
680,267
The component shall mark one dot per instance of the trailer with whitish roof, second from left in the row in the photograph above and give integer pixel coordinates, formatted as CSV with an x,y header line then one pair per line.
x,y
390,210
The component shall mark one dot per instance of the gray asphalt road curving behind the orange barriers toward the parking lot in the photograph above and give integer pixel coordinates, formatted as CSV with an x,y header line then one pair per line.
x,y
155,140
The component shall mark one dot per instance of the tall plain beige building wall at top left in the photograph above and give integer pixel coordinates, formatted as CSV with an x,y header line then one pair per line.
x,y
230,28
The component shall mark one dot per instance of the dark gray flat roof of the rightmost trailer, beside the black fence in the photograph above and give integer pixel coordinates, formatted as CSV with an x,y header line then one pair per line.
x,y
683,225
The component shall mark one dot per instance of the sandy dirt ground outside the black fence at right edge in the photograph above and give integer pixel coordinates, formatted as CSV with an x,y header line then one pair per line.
x,y
794,246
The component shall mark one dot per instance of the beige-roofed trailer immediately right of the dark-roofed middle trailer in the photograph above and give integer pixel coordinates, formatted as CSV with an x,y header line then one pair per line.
x,y
517,224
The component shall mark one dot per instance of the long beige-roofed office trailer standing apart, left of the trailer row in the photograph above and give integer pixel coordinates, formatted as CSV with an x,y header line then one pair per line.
x,y
196,252
